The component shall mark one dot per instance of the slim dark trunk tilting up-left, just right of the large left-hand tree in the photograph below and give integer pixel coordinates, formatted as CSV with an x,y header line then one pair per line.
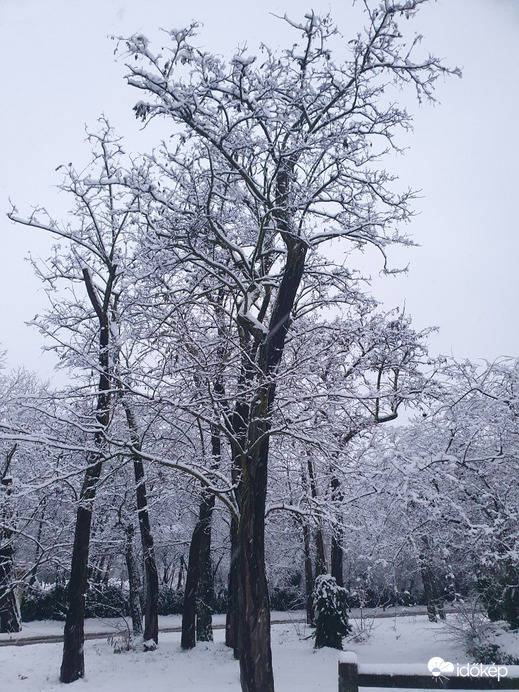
x,y
151,616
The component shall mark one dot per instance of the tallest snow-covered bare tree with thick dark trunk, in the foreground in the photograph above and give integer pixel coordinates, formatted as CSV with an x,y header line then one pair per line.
x,y
276,156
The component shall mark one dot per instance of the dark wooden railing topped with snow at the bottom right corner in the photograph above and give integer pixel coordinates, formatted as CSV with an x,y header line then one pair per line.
x,y
416,676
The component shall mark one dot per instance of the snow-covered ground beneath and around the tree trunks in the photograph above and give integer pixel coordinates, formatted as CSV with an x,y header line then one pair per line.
x,y
298,667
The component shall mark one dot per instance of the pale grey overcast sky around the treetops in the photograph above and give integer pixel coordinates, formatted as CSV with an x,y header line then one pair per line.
x,y
60,74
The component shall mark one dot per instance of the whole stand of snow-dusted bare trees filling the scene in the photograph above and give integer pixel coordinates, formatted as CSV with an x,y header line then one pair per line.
x,y
243,417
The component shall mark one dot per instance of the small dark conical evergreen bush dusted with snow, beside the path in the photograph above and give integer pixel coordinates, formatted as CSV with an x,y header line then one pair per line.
x,y
331,612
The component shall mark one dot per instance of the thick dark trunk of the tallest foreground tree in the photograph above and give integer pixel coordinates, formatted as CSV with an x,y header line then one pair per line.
x,y
256,674
